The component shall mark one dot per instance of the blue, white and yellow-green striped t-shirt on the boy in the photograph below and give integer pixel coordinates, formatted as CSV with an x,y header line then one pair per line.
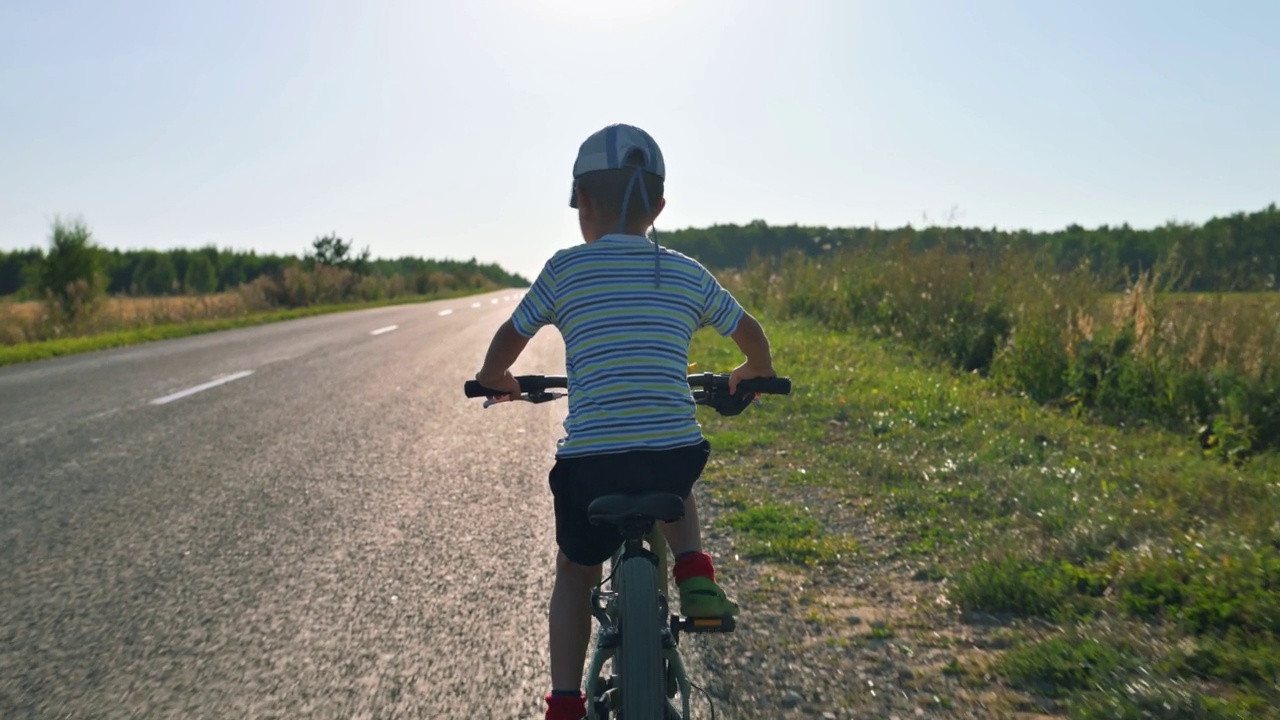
x,y
627,341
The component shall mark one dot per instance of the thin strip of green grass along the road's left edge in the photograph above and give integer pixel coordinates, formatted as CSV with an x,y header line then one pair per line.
x,y
43,350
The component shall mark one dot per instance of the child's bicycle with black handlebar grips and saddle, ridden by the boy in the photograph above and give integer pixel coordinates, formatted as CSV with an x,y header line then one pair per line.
x,y
638,635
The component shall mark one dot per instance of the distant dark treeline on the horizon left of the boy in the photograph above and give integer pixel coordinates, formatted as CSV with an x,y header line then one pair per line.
x,y
213,270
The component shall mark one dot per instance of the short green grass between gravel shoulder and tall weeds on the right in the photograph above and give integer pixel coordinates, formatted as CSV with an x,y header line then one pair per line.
x,y
1159,567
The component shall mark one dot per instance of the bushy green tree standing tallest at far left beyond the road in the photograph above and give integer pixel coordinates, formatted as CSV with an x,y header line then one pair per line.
x,y
71,274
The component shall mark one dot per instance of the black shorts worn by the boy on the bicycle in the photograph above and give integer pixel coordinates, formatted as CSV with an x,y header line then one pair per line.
x,y
578,481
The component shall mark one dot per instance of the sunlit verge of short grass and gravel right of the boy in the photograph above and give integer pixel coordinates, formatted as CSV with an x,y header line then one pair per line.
x,y
964,549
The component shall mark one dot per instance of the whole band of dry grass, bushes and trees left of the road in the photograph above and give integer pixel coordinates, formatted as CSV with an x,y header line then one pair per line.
x,y
75,295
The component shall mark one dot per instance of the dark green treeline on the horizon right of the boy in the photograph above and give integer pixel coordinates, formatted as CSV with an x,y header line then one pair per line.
x,y
1237,253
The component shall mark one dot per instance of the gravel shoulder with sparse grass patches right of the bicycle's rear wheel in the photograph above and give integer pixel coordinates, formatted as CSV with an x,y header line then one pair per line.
x,y
870,639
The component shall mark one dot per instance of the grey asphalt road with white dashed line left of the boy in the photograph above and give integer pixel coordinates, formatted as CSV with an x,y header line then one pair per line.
x,y
331,532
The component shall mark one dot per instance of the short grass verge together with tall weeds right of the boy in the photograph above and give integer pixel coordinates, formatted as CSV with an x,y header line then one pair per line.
x,y
1082,468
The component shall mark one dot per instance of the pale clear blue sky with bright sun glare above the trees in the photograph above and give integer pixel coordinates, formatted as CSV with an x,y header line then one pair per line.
x,y
449,129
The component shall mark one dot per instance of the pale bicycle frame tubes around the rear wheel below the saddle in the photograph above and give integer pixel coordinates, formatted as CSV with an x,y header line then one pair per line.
x,y
607,635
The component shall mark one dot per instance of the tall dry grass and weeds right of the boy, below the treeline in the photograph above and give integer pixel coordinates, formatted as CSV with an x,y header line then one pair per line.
x,y
1203,364
